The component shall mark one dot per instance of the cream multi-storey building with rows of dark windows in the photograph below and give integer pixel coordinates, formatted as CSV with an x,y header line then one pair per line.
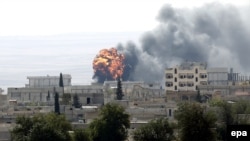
x,y
186,77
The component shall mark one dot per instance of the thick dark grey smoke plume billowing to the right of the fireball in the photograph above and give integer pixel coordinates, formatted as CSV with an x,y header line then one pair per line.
x,y
214,33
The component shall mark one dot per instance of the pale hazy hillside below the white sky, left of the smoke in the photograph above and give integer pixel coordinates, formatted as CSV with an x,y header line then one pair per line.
x,y
23,56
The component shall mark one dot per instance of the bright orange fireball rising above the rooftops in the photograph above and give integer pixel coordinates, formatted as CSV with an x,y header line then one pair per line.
x,y
108,61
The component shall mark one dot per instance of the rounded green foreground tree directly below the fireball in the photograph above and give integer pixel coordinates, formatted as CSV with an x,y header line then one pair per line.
x,y
111,125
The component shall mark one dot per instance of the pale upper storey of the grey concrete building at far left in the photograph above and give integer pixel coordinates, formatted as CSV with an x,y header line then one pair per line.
x,y
47,81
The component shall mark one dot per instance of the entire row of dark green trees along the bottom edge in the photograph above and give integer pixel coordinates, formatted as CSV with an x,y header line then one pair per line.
x,y
195,121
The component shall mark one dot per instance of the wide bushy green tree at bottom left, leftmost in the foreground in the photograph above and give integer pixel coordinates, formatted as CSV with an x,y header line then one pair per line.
x,y
41,127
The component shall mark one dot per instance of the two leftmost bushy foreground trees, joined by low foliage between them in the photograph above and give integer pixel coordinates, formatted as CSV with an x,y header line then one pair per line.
x,y
112,124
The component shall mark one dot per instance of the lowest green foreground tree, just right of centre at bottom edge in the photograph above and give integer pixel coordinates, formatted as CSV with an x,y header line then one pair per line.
x,y
155,130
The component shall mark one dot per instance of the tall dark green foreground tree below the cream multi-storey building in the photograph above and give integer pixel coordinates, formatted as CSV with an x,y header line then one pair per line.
x,y
195,122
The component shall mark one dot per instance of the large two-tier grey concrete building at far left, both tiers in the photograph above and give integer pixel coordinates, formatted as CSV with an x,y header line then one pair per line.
x,y
39,90
